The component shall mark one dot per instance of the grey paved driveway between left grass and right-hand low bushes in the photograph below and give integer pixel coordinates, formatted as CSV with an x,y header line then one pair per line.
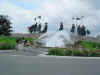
x,y
28,51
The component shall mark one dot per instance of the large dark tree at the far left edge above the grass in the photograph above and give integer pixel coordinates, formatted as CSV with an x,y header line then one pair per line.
x,y
5,25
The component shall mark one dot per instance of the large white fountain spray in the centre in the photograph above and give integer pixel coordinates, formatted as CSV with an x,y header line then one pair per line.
x,y
59,39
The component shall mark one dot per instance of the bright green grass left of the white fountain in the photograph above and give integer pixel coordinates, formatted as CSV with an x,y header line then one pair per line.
x,y
7,42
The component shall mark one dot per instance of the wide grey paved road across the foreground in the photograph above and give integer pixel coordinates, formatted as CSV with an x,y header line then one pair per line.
x,y
35,65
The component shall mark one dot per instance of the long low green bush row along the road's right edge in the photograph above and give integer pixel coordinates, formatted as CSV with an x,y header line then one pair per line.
x,y
67,52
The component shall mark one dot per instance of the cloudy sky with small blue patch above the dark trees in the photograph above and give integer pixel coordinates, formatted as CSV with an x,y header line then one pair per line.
x,y
22,13
